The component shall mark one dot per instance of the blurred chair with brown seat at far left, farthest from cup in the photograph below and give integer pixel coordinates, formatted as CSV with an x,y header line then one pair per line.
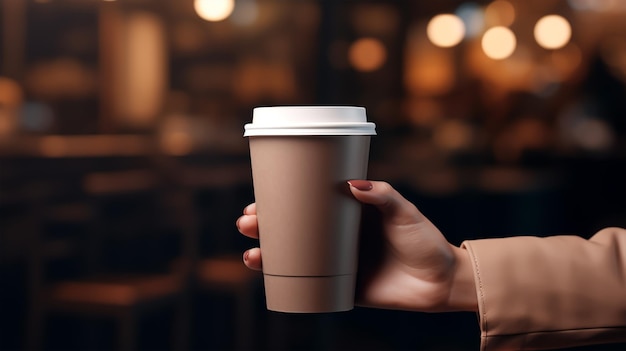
x,y
121,259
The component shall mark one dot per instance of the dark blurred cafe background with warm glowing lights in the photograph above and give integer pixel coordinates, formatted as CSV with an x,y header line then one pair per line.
x,y
123,165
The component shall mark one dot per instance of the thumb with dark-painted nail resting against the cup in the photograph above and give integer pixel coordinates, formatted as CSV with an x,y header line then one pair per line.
x,y
387,199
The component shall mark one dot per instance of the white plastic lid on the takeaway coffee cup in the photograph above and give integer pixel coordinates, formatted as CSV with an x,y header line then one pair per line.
x,y
309,120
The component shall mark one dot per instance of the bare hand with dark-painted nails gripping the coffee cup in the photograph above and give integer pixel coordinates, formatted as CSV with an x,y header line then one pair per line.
x,y
414,268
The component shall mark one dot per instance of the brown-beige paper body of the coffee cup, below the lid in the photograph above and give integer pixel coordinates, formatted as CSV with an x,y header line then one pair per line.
x,y
308,220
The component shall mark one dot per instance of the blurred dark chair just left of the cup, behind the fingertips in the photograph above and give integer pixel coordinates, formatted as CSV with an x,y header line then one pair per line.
x,y
220,269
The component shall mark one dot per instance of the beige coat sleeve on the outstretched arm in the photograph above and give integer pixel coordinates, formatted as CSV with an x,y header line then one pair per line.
x,y
554,292
